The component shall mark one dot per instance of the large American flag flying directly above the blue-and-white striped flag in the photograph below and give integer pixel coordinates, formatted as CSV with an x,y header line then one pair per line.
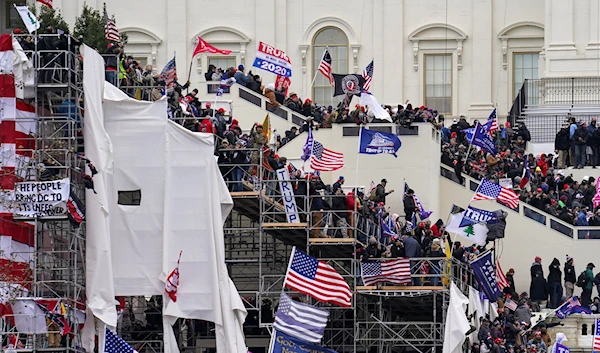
x,y
310,276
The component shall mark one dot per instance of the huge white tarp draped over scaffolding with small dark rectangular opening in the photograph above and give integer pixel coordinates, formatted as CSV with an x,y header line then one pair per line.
x,y
183,204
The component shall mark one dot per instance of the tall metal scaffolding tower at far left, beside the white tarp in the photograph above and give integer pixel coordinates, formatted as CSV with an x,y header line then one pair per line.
x,y
52,151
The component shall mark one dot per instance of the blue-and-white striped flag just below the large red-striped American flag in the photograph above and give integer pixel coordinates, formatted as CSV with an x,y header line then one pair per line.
x,y
303,321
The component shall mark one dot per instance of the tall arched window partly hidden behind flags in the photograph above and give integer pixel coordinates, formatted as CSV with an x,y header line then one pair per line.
x,y
336,41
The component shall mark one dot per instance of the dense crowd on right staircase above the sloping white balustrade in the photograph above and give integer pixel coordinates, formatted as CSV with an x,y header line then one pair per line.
x,y
548,189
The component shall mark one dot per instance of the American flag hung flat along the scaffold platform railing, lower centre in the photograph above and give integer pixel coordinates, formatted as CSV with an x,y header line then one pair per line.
x,y
395,271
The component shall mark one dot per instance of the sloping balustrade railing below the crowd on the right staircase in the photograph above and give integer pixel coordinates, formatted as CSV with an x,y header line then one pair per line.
x,y
572,231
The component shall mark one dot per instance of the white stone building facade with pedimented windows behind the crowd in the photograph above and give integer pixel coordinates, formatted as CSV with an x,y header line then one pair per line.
x,y
461,57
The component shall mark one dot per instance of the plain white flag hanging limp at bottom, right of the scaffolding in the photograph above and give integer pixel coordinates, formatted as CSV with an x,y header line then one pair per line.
x,y
456,321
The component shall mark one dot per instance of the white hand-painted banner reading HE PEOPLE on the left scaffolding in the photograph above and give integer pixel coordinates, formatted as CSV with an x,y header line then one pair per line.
x,y
42,198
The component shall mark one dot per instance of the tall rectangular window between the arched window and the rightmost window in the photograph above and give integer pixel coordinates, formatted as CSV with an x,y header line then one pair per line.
x,y
438,83
